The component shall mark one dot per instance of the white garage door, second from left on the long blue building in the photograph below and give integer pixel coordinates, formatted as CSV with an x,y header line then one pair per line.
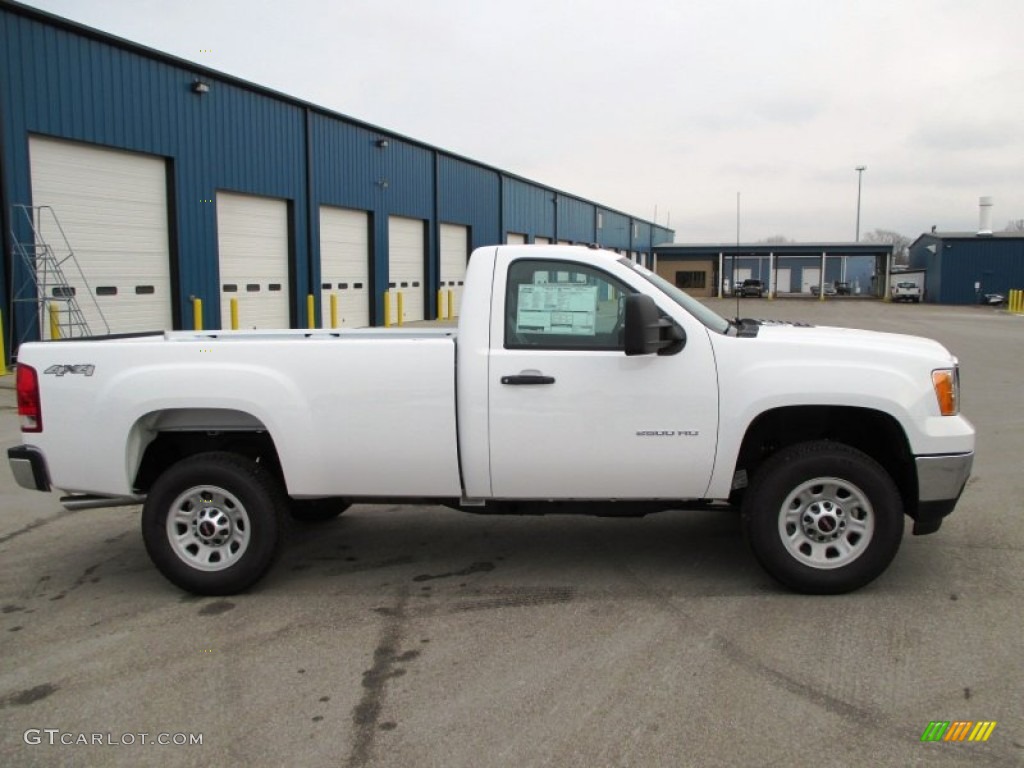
x,y
252,243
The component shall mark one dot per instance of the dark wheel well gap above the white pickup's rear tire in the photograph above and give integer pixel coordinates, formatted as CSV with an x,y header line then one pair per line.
x,y
169,448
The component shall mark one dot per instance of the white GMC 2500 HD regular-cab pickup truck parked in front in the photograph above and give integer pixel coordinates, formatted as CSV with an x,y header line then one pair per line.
x,y
577,382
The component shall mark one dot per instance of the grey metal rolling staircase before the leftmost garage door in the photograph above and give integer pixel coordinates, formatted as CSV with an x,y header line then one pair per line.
x,y
48,264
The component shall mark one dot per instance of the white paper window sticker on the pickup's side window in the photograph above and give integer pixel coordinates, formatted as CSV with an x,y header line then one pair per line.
x,y
558,309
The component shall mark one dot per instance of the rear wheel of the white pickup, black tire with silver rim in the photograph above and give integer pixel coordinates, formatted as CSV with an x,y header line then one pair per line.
x,y
212,524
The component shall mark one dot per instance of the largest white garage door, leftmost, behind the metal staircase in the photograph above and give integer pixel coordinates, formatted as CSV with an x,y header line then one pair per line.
x,y
113,208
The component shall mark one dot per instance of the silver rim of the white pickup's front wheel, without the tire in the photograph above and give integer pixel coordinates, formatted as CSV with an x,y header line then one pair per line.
x,y
827,523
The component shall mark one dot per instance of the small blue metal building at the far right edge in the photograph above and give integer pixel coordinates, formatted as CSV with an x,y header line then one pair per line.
x,y
961,267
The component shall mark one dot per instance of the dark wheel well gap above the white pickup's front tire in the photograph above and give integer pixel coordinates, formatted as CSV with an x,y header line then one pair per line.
x,y
873,433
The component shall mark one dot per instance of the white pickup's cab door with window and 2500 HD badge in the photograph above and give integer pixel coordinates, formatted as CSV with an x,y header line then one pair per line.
x,y
571,416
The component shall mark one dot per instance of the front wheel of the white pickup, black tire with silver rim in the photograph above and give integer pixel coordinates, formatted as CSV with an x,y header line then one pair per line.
x,y
823,518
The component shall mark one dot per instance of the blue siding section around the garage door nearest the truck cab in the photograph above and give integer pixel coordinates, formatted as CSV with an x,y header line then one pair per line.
x,y
471,196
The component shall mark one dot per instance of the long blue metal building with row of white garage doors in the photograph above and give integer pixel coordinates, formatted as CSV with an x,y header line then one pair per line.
x,y
175,183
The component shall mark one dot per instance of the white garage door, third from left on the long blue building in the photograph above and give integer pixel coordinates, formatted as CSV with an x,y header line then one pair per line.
x,y
346,267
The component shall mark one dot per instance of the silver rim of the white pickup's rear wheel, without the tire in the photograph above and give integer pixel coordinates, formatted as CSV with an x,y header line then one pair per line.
x,y
208,528
